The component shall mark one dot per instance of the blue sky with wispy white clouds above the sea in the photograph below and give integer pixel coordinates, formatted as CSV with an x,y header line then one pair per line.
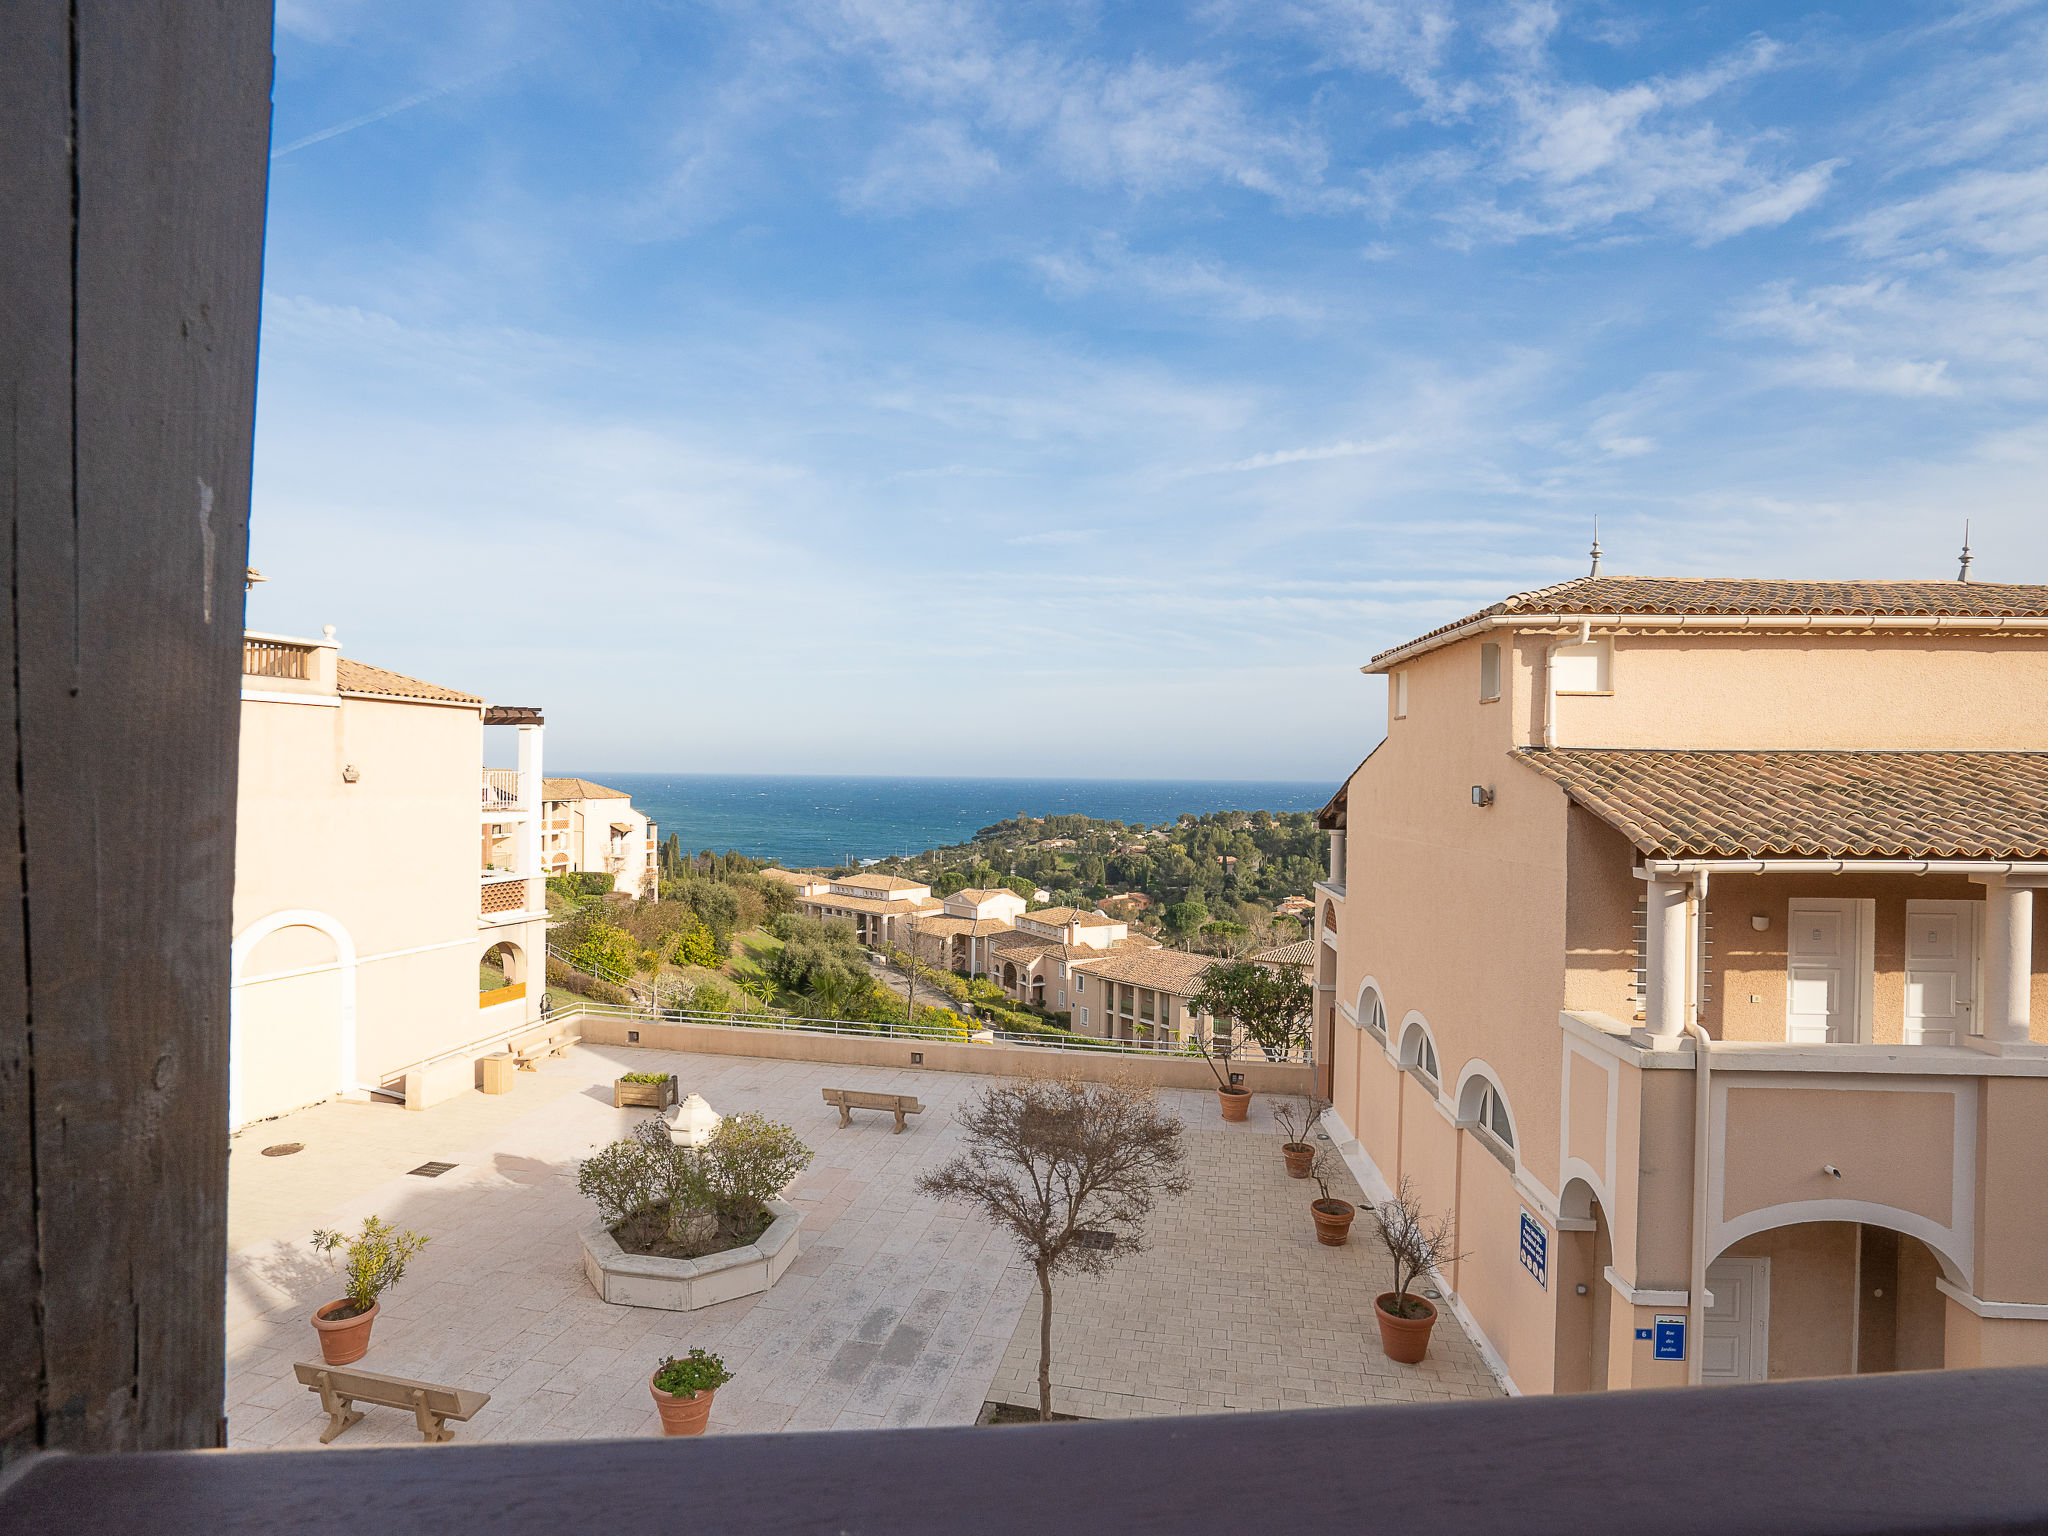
x,y
898,386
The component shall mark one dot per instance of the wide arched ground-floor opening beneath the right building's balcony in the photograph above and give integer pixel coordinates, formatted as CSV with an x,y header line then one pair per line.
x,y
1824,1299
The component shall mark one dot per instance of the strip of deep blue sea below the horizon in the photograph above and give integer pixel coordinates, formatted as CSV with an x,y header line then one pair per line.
x,y
818,820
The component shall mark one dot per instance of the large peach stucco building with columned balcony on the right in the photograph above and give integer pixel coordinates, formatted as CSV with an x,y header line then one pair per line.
x,y
1680,941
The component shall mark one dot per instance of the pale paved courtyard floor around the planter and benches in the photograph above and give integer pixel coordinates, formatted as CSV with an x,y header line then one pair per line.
x,y
898,1312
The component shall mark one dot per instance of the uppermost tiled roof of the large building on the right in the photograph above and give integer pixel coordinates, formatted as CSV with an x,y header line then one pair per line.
x,y
1766,599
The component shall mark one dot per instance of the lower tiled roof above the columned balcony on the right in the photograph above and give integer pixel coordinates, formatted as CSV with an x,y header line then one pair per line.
x,y
1811,804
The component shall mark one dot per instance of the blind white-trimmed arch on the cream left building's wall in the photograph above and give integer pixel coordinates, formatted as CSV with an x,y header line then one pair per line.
x,y
292,1015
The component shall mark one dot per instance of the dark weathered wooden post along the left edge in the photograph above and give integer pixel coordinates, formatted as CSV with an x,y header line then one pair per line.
x,y
134,155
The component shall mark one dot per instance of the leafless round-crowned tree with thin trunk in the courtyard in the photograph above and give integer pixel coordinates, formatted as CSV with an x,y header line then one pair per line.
x,y
1070,1170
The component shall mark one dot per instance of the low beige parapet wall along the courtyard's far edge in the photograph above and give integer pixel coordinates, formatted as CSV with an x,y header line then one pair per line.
x,y
1166,1070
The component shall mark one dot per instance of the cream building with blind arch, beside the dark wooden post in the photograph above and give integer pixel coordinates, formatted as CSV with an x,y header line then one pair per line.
x,y
361,919
